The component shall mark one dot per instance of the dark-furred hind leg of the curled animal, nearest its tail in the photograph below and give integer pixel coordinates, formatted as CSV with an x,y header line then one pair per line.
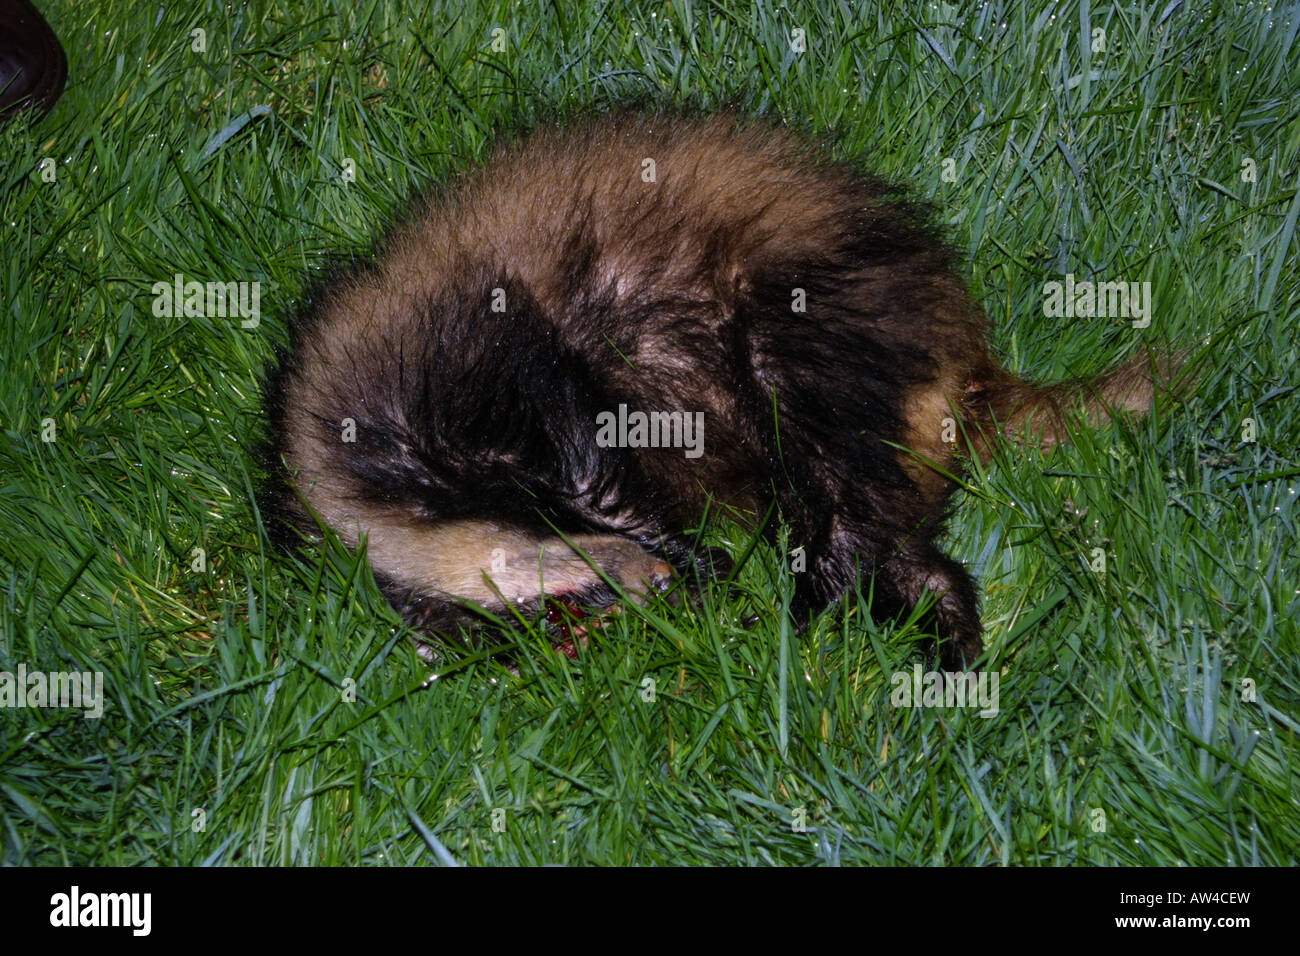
x,y
850,495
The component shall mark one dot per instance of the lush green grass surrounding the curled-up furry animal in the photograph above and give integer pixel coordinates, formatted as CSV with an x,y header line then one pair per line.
x,y
1125,733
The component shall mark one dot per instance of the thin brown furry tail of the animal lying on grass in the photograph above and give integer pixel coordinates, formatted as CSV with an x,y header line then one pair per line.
x,y
999,403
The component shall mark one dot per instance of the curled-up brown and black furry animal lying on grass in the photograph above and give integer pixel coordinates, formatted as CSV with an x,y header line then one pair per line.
x,y
475,469
